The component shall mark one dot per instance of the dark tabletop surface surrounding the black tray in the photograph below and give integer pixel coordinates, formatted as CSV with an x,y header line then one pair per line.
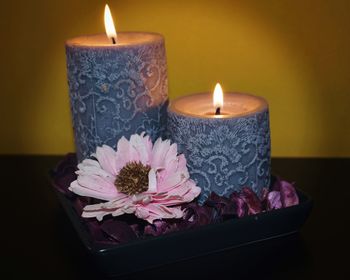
x,y
40,242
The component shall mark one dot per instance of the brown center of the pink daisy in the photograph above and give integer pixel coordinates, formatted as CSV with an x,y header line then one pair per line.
x,y
133,178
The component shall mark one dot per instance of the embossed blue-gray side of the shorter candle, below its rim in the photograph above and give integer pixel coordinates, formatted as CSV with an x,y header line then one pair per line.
x,y
224,155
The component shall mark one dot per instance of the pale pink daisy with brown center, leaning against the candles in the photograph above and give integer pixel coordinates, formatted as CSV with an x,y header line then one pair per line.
x,y
148,180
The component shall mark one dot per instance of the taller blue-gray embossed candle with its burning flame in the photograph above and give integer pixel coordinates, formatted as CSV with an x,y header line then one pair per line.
x,y
118,86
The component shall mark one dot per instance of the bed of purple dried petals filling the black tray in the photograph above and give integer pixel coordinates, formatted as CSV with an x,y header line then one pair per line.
x,y
115,231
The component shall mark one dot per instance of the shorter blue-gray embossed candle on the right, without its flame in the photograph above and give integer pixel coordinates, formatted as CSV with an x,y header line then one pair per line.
x,y
227,146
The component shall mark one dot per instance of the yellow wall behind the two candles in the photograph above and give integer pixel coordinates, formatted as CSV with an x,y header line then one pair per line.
x,y
296,54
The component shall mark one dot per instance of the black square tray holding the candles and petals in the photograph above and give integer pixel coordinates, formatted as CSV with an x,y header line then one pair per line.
x,y
130,257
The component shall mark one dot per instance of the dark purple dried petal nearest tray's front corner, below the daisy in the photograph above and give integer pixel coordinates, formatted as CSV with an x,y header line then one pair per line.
x,y
118,231
